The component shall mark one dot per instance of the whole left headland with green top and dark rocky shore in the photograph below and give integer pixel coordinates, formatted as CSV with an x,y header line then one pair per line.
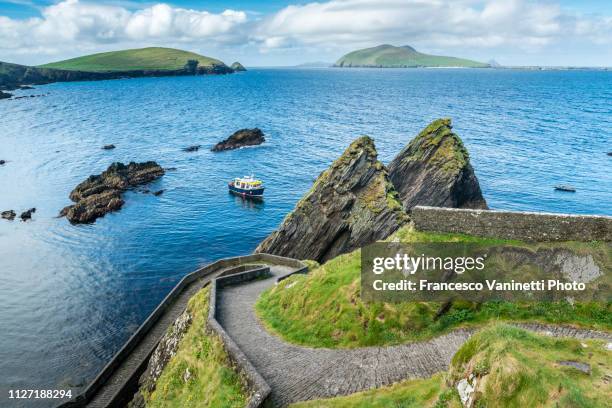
x,y
142,62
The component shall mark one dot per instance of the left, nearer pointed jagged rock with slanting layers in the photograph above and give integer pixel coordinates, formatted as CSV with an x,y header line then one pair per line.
x,y
351,204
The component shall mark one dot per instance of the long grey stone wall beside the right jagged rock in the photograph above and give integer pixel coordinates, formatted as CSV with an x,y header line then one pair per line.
x,y
526,226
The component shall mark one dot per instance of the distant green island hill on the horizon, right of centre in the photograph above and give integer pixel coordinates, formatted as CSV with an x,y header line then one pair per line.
x,y
389,56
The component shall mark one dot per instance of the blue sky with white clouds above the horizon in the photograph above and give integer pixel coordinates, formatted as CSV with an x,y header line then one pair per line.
x,y
286,32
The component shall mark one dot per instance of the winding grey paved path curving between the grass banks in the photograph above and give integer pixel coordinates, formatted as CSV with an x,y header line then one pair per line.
x,y
297,373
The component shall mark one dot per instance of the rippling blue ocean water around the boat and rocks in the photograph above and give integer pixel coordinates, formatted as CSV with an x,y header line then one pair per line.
x,y
71,295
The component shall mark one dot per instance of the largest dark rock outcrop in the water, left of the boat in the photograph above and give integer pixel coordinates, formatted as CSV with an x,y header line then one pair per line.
x,y
101,194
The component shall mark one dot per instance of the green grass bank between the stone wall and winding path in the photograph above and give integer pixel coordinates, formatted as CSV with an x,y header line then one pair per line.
x,y
324,307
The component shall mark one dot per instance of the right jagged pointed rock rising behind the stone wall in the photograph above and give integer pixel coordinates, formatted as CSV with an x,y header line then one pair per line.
x,y
434,169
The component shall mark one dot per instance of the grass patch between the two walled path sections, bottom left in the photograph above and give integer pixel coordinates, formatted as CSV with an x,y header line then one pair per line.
x,y
213,383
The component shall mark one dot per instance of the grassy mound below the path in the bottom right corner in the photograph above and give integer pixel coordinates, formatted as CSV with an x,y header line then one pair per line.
x,y
514,368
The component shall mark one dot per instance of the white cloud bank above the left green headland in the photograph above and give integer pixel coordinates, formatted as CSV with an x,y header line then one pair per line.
x,y
72,22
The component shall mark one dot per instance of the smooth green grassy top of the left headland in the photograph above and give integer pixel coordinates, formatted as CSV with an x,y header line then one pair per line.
x,y
152,58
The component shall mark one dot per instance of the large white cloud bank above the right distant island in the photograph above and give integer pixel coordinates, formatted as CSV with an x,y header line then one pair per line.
x,y
438,24
